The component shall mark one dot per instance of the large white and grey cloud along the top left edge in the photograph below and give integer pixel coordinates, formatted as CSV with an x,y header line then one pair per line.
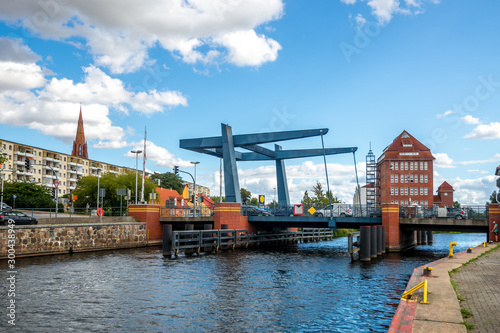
x,y
119,38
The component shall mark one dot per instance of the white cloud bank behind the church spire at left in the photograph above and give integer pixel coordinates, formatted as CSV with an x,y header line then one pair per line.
x,y
53,108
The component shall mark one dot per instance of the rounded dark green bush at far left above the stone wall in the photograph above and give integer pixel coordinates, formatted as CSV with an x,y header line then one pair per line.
x,y
28,195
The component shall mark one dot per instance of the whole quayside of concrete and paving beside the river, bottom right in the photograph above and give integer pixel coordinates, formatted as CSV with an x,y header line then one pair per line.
x,y
443,313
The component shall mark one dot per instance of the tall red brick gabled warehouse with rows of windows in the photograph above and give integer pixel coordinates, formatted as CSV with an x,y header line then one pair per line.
x,y
405,173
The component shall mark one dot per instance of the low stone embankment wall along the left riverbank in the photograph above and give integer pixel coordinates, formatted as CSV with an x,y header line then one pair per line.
x,y
52,239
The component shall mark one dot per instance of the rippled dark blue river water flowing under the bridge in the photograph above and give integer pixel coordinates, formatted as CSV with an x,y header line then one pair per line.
x,y
310,287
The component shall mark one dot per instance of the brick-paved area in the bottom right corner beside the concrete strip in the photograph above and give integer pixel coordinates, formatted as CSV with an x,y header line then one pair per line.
x,y
478,284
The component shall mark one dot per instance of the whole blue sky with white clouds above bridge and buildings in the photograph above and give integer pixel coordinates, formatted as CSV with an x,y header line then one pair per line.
x,y
367,70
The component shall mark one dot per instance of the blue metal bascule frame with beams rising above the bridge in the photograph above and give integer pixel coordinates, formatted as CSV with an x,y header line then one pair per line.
x,y
224,147
